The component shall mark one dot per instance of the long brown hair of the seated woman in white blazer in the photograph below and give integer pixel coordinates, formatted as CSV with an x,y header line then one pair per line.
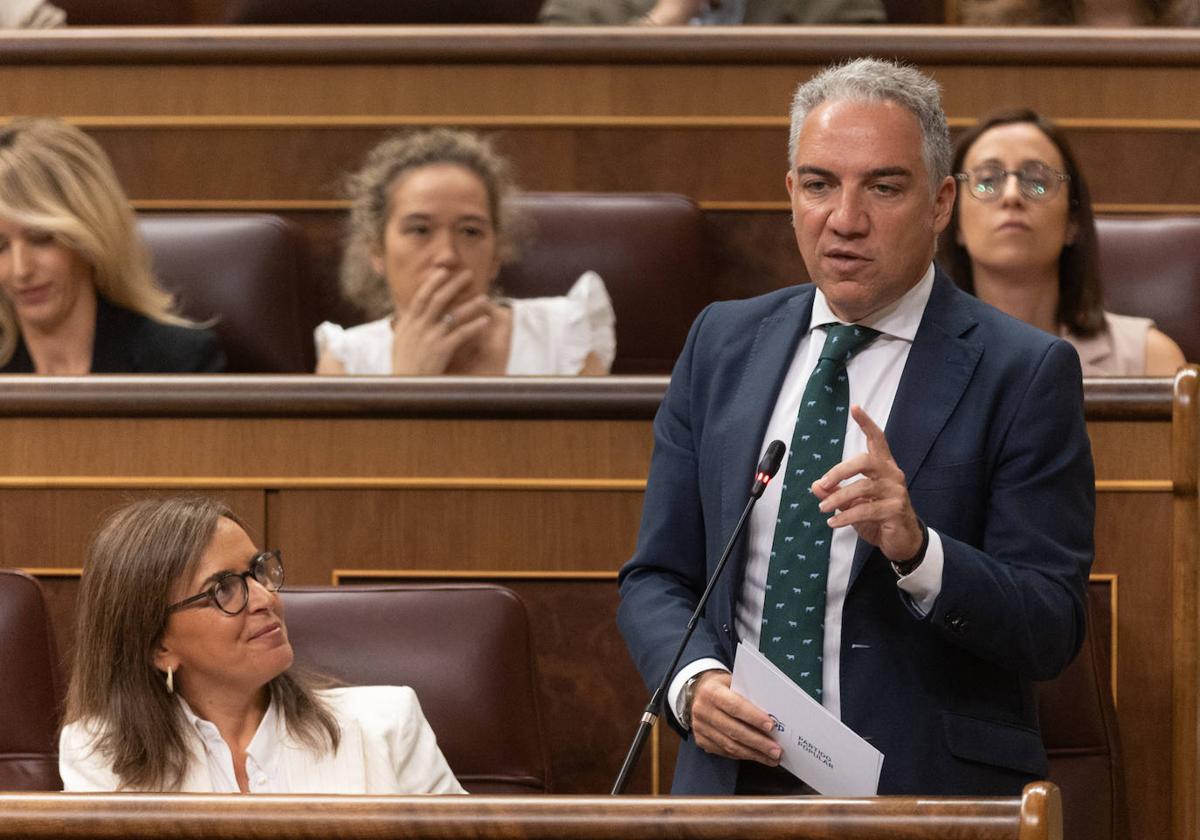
x,y
116,692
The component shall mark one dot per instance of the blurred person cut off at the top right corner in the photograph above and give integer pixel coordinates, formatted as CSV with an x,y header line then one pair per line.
x,y
1079,13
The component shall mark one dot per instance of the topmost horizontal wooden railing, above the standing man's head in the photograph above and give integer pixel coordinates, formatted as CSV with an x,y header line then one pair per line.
x,y
598,45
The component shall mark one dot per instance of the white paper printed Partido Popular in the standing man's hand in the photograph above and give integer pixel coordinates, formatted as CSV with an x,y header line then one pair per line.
x,y
818,748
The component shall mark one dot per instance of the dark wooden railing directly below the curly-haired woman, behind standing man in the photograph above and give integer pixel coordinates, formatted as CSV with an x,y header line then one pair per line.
x,y
533,398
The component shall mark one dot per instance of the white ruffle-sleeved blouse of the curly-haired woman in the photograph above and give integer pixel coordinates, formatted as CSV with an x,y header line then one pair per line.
x,y
551,337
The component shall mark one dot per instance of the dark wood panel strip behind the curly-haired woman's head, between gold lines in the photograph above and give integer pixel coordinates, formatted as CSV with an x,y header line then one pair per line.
x,y
733,166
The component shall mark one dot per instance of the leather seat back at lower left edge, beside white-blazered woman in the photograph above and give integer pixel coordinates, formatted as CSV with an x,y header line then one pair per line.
x,y
31,691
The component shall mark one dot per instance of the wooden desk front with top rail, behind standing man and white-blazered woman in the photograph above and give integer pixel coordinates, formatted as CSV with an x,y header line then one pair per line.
x,y
368,479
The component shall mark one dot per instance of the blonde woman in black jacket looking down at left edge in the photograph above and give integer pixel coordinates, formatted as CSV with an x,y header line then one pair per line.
x,y
77,293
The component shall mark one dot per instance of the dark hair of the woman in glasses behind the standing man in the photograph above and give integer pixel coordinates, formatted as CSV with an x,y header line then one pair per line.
x,y
1081,305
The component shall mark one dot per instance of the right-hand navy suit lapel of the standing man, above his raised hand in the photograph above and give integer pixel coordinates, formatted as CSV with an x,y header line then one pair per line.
x,y
940,367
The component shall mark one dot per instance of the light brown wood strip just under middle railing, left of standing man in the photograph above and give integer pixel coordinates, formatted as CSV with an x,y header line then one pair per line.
x,y
321,448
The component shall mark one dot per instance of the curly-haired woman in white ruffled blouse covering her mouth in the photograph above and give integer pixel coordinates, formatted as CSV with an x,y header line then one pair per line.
x,y
430,226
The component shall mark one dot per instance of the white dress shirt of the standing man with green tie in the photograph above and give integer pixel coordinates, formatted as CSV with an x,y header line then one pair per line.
x,y
874,380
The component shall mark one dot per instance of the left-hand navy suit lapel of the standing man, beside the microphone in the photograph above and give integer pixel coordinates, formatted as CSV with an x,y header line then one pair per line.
x,y
751,410
